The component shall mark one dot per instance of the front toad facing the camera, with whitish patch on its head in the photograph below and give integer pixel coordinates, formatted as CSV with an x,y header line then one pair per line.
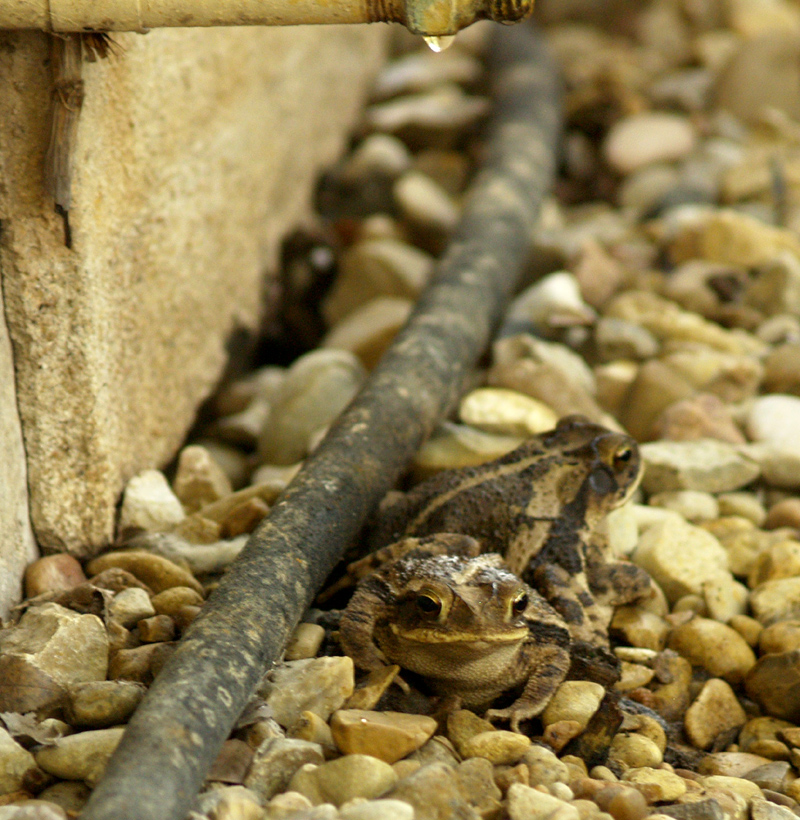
x,y
460,620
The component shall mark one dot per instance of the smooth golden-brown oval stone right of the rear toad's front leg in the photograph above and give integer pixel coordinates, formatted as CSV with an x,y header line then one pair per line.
x,y
715,646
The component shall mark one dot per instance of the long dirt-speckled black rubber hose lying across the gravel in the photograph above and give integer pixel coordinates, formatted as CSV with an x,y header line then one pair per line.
x,y
192,706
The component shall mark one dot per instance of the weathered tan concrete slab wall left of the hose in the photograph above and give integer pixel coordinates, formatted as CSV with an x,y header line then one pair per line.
x,y
196,150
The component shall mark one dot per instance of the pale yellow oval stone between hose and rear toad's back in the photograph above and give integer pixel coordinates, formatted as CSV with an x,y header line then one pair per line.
x,y
505,412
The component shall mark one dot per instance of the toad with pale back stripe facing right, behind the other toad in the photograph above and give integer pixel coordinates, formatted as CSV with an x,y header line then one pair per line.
x,y
541,507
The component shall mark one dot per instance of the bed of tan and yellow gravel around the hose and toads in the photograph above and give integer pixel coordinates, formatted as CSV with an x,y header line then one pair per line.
x,y
663,300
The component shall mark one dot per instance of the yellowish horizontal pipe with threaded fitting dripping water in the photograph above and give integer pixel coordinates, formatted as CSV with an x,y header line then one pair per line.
x,y
431,18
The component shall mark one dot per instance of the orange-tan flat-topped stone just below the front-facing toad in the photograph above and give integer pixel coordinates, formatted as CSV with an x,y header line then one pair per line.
x,y
389,736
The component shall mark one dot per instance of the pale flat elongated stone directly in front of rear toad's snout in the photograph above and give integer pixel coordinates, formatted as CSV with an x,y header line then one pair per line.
x,y
705,465
